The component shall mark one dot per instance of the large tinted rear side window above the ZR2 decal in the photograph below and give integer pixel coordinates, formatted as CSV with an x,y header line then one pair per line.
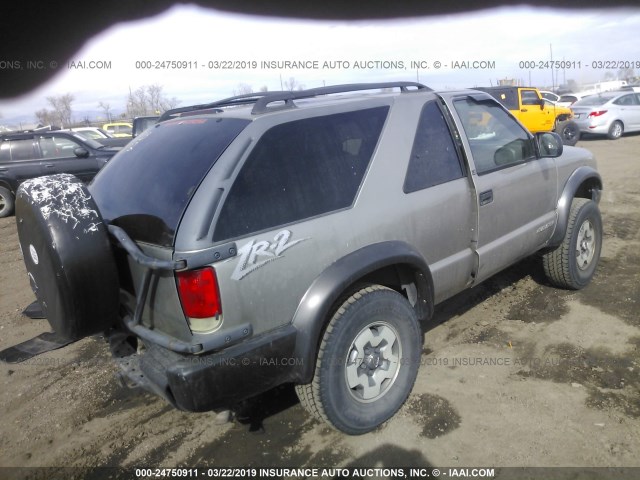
x,y
301,169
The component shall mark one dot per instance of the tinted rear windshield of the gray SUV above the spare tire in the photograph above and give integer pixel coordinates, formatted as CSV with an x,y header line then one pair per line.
x,y
146,187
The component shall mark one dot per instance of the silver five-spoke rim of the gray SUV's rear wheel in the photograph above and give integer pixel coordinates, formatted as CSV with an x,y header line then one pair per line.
x,y
373,362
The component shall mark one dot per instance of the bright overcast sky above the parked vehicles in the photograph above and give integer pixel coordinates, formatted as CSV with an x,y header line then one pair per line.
x,y
497,40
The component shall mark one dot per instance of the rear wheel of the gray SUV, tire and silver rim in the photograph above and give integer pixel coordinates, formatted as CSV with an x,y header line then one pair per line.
x,y
373,336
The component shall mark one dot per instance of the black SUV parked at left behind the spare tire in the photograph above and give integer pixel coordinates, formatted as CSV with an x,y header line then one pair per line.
x,y
28,155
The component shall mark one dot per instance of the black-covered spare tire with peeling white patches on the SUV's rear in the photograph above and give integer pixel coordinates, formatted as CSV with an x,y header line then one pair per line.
x,y
68,255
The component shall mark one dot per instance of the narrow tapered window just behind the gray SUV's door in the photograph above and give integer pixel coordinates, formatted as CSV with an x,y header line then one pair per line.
x,y
434,157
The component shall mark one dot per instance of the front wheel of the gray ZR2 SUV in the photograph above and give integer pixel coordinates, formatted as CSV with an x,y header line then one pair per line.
x,y
574,262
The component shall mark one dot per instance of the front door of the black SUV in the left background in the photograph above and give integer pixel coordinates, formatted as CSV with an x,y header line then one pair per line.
x,y
58,154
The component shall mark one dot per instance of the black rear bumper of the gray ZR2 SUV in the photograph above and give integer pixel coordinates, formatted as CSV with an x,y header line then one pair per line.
x,y
200,383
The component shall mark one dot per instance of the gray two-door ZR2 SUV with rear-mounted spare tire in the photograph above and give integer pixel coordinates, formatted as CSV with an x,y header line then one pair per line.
x,y
303,237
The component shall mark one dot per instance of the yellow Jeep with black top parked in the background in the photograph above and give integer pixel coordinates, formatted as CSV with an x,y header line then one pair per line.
x,y
536,113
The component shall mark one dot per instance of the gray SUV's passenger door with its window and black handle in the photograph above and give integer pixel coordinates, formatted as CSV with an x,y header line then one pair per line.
x,y
515,191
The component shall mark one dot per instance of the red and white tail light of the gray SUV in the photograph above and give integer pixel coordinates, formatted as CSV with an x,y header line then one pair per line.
x,y
200,298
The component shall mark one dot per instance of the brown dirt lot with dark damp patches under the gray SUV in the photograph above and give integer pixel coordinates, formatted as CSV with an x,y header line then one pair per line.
x,y
515,373
